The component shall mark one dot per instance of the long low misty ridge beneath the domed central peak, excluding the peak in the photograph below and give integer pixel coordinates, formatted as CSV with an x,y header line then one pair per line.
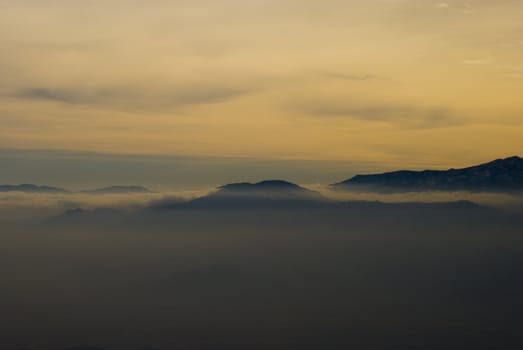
x,y
212,213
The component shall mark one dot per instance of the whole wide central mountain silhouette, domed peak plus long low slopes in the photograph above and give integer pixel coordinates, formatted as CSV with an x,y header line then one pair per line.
x,y
252,204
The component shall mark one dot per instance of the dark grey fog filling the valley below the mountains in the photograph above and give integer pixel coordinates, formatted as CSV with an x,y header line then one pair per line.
x,y
123,274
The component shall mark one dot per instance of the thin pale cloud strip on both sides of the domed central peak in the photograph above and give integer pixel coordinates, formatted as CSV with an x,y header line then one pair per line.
x,y
20,206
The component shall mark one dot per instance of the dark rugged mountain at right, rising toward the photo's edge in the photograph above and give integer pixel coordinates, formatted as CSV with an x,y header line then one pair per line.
x,y
501,175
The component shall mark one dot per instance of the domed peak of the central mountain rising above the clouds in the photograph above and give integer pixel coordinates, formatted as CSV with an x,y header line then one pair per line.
x,y
269,194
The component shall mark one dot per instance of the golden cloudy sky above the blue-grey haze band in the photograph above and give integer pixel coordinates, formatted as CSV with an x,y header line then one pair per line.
x,y
392,81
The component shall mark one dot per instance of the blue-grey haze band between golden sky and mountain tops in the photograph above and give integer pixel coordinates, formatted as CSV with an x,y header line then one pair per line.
x,y
77,171
